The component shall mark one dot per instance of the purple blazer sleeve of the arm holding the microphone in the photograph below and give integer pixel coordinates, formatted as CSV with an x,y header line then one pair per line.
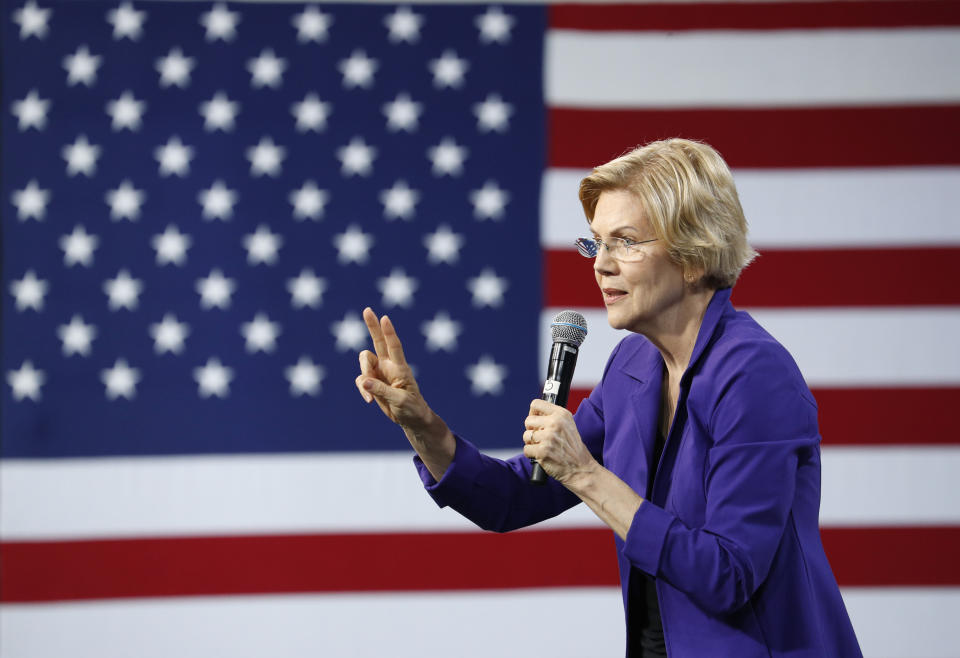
x,y
764,423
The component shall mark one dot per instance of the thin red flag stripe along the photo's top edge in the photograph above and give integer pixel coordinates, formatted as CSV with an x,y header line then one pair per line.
x,y
754,15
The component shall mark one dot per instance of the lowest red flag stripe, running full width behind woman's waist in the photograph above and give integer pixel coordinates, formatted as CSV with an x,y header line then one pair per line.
x,y
106,569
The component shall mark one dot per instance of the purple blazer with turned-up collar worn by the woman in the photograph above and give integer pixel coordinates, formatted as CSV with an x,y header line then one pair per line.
x,y
729,525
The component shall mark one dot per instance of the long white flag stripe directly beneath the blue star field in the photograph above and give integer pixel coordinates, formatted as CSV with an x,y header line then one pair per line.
x,y
223,495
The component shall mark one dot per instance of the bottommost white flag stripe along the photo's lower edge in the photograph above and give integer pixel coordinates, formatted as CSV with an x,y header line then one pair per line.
x,y
399,625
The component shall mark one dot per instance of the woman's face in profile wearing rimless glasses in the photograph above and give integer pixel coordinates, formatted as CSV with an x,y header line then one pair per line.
x,y
639,295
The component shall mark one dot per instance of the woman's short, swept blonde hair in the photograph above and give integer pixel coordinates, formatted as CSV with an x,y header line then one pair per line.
x,y
689,197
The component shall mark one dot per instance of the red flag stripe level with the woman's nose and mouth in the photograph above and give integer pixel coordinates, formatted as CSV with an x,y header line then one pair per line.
x,y
785,278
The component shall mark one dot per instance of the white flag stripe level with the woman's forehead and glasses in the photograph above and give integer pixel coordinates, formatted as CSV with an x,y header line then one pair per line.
x,y
806,207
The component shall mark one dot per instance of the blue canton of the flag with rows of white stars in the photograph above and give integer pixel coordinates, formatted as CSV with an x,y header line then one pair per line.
x,y
199,199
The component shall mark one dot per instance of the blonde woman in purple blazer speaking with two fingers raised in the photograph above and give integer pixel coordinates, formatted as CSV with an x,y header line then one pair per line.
x,y
699,447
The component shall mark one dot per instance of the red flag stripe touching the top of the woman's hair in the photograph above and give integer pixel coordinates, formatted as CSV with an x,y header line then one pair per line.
x,y
817,137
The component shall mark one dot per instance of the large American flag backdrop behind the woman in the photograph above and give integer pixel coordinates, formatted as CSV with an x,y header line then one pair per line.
x,y
199,198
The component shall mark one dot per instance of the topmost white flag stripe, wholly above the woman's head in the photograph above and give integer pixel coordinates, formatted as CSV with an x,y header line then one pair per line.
x,y
752,68
